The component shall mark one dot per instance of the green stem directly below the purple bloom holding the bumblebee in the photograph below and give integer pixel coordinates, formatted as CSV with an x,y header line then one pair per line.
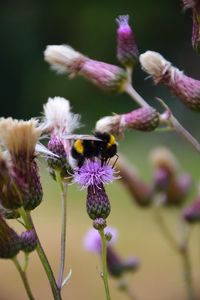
x,y
104,263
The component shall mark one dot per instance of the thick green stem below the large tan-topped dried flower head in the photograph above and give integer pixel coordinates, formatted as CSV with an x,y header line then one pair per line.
x,y
29,225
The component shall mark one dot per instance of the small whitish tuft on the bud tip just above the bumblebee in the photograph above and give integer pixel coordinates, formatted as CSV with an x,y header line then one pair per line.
x,y
108,124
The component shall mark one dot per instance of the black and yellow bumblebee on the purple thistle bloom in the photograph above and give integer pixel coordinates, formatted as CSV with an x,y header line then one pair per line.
x,y
103,145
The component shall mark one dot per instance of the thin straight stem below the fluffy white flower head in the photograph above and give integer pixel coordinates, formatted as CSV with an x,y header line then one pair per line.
x,y
63,187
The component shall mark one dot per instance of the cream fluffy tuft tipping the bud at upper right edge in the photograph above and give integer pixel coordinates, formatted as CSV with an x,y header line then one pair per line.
x,y
154,63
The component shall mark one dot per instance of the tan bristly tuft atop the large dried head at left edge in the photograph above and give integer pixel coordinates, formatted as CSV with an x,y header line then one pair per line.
x,y
20,137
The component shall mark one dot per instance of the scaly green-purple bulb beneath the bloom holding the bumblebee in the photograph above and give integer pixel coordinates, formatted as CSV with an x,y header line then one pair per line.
x,y
98,205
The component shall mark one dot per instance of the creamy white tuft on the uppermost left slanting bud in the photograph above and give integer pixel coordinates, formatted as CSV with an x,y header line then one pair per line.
x,y
62,58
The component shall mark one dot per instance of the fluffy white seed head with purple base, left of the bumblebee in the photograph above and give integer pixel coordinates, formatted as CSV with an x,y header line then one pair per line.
x,y
59,121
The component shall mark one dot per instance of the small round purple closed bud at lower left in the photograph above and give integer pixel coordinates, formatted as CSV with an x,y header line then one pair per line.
x,y
28,241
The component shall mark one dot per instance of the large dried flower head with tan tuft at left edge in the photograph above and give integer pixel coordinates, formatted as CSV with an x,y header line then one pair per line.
x,y
20,138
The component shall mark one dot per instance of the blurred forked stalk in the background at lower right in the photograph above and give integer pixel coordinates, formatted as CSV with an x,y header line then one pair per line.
x,y
180,247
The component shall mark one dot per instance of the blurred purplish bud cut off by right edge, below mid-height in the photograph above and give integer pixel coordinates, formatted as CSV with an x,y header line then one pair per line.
x,y
191,213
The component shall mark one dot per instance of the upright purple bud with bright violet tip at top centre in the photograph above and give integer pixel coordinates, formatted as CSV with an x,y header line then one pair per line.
x,y
127,51
